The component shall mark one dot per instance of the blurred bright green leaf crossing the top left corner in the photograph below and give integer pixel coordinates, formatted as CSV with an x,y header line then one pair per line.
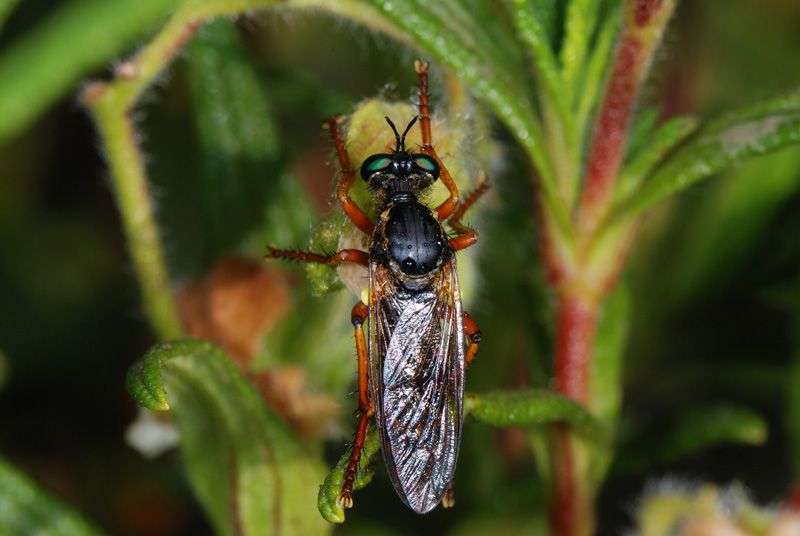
x,y
48,62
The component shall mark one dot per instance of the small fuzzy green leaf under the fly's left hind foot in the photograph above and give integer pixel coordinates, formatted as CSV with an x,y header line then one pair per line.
x,y
329,491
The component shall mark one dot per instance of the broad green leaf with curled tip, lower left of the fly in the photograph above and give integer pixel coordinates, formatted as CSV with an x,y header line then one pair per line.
x,y
249,471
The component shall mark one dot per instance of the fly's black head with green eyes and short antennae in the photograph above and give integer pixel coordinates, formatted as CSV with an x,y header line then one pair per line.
x,y
399,171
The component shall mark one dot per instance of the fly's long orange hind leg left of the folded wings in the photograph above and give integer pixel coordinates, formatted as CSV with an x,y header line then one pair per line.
x,y
365,407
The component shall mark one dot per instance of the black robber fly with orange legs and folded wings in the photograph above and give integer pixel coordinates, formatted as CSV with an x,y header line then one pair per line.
x,y
411,372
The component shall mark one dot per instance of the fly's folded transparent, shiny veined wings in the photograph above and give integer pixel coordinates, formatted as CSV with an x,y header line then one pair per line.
x,y
417,376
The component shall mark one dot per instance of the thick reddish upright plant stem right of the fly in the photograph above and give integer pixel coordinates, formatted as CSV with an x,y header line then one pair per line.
x,y
580,284
